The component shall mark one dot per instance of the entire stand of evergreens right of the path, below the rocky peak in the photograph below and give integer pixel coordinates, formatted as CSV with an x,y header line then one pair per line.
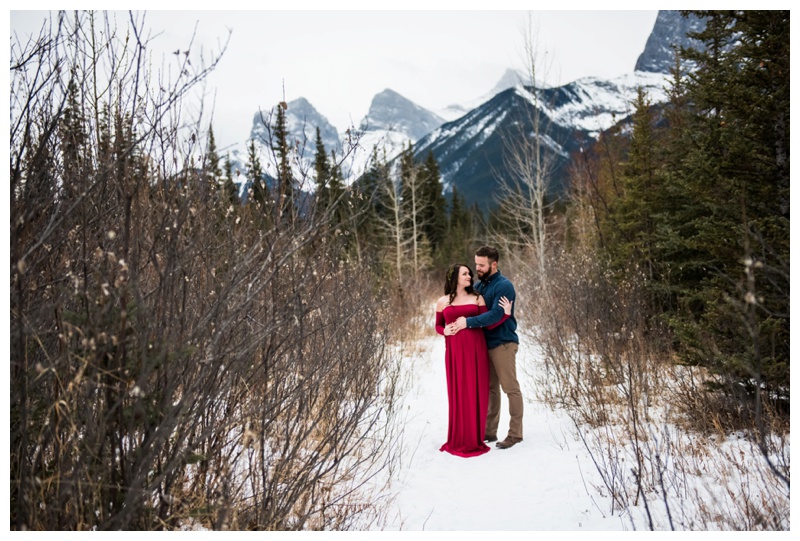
x,y
696,199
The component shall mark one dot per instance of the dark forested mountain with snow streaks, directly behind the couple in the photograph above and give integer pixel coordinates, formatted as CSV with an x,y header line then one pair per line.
x,y
470,151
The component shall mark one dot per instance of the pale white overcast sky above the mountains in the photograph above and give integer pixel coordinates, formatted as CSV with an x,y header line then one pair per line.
x,y
339,60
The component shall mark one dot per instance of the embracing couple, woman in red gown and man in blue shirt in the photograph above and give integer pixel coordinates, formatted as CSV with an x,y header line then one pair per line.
x,y
480,355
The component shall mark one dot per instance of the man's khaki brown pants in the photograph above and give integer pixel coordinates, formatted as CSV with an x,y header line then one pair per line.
x,y
503,373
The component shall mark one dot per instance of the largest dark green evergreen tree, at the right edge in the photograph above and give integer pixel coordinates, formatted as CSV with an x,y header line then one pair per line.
x,y
733,292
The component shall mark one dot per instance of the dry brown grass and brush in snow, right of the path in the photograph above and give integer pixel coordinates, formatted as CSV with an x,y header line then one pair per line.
x,y
672,451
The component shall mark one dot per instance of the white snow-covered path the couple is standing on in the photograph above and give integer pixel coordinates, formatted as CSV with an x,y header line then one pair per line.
x,y
536,485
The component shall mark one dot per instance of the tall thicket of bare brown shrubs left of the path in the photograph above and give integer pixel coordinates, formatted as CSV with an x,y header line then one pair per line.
x,y
181,355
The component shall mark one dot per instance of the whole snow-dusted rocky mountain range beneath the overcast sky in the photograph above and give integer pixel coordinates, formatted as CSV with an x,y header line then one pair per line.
x,y
469,141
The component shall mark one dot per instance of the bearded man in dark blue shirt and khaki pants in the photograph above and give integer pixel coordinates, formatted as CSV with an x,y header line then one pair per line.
x,y
502,342
